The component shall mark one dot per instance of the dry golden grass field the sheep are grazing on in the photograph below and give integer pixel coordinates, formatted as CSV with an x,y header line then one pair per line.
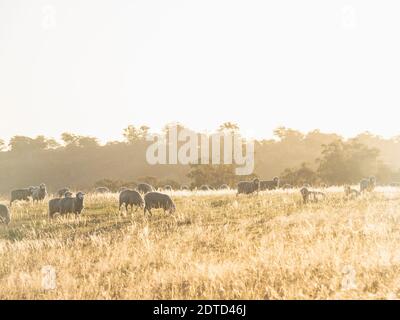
x,y
216,246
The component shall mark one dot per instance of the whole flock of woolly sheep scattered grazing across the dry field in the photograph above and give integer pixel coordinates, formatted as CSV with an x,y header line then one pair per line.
x,y
146,197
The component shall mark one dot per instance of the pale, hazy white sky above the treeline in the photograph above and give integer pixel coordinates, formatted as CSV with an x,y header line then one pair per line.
x,y
93,67
